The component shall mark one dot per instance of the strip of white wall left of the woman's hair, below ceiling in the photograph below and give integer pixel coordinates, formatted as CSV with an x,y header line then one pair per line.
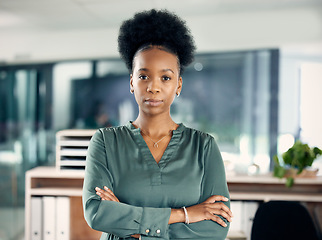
x,y
39,46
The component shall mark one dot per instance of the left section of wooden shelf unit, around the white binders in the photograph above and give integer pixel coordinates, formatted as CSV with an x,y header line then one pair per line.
x,y
50,181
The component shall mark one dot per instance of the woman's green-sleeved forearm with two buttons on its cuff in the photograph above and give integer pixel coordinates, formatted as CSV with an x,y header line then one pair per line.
x,y
124,220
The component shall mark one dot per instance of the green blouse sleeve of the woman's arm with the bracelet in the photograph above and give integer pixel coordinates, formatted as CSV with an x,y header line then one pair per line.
x,y
213,183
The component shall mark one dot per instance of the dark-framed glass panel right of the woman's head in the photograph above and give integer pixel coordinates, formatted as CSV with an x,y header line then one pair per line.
x,y
233,97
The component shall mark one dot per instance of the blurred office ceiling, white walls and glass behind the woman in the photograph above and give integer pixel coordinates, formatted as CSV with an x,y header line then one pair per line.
x,y
255,83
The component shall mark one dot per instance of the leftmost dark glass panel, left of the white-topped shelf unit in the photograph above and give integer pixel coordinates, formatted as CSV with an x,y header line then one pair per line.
x,y
24,138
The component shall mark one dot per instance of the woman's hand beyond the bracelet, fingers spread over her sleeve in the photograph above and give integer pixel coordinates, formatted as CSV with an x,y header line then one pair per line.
x,y
209,209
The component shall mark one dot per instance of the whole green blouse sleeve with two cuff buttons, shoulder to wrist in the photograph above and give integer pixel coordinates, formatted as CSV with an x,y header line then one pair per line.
x,y
119,219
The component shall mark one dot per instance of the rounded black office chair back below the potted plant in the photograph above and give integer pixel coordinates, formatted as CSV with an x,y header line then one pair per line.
x,y
283,220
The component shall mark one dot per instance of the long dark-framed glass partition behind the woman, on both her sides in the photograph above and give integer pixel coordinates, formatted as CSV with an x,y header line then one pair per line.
x,y
232,96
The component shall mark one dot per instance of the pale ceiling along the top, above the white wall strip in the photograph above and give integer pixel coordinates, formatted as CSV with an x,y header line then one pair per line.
x,y
18,15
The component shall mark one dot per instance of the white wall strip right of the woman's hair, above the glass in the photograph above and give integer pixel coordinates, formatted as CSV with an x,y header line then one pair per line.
x,y
249,30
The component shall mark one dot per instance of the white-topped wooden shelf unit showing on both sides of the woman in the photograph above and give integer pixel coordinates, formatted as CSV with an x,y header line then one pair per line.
x,y
50,181
